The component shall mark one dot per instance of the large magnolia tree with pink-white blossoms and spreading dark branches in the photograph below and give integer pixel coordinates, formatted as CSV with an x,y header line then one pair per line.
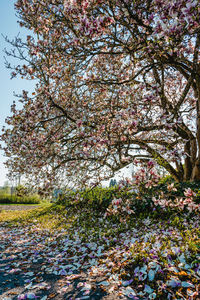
x,y
117,81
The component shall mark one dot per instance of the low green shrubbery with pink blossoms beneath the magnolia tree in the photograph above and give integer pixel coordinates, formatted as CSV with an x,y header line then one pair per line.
x,y
123,200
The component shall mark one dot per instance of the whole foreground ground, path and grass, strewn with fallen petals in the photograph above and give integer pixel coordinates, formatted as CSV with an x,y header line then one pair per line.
x,y
97,258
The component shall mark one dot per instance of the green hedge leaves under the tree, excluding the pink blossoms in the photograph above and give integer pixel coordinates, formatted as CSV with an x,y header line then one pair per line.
x,y
100,198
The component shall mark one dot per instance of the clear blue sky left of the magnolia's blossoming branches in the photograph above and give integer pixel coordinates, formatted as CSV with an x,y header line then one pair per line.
x,y
10,28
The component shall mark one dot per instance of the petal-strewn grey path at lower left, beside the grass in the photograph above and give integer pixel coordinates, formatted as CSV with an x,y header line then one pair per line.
x,y
33,265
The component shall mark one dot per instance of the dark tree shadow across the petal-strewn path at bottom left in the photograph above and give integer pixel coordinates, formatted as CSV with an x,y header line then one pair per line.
x,y
56,286
